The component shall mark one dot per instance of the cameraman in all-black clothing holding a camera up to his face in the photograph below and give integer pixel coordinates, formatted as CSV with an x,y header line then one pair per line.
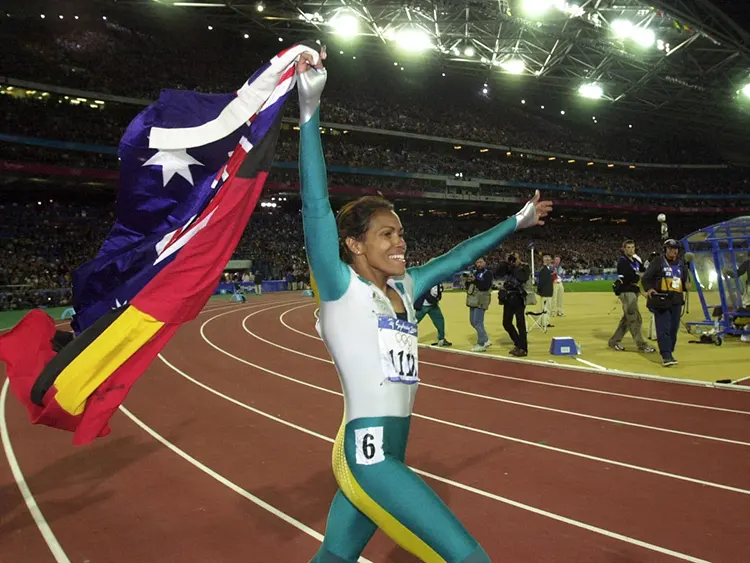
x,y
514,275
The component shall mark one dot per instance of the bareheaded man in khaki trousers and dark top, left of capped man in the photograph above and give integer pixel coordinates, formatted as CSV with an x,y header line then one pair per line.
x,y
629,272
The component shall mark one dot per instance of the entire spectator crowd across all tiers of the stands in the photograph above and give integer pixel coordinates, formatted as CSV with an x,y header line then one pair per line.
x,y
42,242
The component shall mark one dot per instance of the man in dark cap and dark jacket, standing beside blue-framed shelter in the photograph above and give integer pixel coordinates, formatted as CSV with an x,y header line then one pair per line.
x,y
665,281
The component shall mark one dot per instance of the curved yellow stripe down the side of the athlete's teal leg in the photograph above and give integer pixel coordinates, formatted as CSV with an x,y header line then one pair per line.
x,y
385,521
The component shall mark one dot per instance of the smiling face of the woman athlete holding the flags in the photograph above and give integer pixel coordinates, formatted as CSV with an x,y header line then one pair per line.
x,y
383,245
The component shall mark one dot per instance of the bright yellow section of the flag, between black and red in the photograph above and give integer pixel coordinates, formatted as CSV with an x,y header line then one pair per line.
x,y
100,359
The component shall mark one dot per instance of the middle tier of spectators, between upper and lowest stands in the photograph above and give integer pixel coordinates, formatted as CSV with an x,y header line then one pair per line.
x,y
103,127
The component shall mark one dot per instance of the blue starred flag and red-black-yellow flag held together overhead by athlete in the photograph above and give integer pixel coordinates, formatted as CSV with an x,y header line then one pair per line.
x,y
192,167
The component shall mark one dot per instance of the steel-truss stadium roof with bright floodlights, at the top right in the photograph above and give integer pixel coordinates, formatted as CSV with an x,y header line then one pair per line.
x,y
684,60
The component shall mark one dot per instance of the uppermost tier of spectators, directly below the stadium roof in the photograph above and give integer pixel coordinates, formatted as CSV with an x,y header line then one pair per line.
x,y
110,57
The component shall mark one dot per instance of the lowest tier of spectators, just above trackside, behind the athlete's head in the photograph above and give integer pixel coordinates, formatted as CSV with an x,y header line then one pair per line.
x,y
42,243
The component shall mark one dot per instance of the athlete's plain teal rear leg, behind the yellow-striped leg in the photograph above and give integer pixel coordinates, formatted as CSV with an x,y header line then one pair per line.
x,y
347,533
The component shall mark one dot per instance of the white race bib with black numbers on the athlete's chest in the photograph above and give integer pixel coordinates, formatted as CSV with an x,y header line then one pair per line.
x,y
398,349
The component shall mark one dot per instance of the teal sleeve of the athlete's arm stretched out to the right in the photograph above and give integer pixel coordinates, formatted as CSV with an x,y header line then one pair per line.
x,y
438,269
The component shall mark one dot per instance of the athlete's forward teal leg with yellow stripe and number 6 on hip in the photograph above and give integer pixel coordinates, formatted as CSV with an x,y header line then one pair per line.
x,y
370,470
